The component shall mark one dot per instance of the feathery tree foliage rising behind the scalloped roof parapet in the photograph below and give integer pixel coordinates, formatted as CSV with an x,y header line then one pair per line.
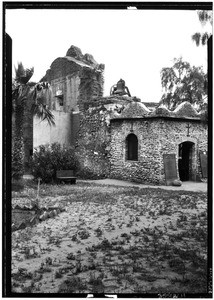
x,y
182,82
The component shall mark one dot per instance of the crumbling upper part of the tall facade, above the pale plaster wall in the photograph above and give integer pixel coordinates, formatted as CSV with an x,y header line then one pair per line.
x,y
79,77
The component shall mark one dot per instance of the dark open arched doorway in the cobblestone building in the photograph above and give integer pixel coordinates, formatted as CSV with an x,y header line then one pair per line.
x,y
185,161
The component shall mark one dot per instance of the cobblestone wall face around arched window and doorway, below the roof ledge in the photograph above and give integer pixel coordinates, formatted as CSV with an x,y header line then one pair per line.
x,y
155,138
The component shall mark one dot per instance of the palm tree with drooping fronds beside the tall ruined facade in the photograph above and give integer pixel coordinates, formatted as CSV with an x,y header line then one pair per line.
x,y
24,91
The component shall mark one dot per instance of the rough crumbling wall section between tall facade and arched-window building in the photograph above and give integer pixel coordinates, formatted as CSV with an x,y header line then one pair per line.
x,y
93,145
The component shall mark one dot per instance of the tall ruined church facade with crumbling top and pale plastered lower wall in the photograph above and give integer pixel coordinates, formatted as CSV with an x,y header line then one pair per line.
x,y
73,79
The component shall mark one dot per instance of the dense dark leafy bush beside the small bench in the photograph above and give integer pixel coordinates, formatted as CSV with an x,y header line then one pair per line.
x,y
49,158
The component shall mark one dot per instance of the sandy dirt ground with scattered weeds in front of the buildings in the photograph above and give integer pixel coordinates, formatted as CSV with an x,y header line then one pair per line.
x,y
113,239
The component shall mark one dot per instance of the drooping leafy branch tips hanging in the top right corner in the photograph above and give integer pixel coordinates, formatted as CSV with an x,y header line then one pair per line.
x,y
205,17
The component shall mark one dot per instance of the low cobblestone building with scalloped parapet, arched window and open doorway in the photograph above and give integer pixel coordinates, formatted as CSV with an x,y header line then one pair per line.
x,y
144,144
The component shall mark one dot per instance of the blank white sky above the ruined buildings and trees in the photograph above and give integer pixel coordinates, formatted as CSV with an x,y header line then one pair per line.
x,y
133,44
